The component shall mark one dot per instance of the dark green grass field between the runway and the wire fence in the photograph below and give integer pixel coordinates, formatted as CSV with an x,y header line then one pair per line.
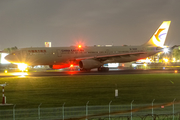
x,y
98,90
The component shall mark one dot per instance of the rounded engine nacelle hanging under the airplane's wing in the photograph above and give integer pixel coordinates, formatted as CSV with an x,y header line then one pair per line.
x,y
89,64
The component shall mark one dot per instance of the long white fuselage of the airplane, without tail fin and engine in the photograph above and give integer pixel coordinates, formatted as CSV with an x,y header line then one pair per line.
x,y
61,55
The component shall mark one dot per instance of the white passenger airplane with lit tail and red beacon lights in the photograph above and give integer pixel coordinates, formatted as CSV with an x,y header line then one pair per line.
x,y
90,57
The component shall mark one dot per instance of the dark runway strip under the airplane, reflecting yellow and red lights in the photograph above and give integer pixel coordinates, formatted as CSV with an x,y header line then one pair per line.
x,y
78,73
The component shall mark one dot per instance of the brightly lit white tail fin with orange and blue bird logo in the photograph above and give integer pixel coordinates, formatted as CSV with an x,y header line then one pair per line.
x,y
159,36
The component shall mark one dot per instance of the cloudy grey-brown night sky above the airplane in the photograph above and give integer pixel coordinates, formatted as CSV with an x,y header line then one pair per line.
x,y
30,23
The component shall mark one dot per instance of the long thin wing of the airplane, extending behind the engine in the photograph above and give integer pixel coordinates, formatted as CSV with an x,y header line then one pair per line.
x,y
109,56
